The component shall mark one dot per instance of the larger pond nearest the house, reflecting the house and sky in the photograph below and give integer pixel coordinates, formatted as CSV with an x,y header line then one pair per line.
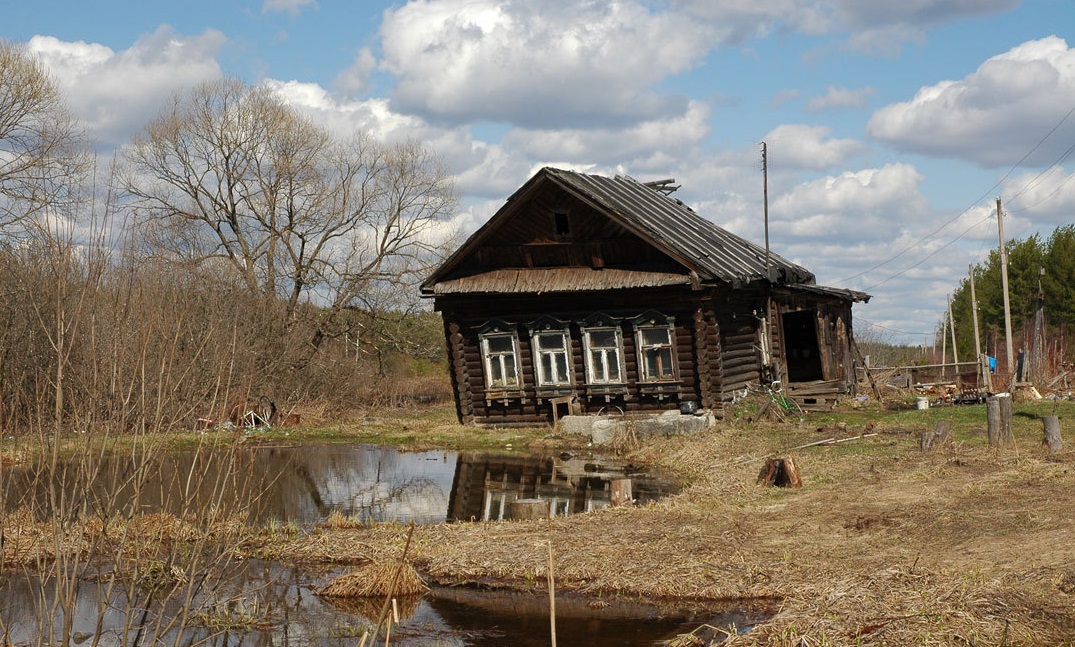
x,y
365,483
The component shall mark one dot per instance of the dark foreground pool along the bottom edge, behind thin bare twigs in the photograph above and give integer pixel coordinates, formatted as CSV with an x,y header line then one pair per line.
x,y
281,609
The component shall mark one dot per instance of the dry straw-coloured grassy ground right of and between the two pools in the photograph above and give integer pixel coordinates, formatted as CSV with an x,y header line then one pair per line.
x,y
885,544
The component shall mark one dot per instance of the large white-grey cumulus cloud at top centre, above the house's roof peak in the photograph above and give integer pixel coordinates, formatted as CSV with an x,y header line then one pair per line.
x,y
538,65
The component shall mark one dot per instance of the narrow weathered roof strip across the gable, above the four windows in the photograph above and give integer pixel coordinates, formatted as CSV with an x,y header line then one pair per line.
x,y
556,280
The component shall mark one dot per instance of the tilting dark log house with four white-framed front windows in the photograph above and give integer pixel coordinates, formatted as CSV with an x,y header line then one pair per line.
x,y
590,295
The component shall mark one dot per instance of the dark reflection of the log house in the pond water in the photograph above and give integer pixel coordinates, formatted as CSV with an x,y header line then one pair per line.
x,y
485,486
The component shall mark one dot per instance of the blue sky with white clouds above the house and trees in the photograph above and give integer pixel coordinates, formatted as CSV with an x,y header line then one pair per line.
x,y
892,127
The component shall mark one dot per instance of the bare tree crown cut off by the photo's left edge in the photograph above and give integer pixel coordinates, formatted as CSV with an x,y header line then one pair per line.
x,y
42,153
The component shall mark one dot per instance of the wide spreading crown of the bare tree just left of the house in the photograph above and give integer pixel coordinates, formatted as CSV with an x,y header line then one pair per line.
x,y
230,175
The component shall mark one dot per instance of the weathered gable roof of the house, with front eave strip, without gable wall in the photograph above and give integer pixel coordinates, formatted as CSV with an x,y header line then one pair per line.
x,y
710,253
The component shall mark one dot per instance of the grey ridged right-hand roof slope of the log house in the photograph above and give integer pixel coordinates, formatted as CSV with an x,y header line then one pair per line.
x,y
715,253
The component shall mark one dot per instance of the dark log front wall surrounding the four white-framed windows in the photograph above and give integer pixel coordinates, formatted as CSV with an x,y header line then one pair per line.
x,y
697,346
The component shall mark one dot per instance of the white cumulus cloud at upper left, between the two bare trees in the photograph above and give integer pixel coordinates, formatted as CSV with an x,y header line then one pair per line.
x,y
116,94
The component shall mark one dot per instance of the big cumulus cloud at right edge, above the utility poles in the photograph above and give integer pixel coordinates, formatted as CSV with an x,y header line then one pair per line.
x,y
984,118
